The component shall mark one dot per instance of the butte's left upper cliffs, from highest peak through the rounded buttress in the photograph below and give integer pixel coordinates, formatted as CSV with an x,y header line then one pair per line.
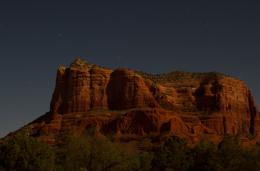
x,y
83,87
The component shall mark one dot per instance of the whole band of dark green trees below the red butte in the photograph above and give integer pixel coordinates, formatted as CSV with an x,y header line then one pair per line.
x,y
22,153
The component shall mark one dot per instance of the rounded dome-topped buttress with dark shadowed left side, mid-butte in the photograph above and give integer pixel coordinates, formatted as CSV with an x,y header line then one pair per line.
x,y
127,90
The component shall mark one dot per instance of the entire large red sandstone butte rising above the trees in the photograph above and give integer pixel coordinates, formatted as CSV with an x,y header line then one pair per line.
x,y
131,105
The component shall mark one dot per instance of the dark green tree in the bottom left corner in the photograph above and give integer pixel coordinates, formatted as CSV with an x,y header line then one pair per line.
x,y
23,153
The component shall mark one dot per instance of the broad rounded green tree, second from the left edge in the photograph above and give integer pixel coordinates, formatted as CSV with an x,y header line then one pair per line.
x,y
88,153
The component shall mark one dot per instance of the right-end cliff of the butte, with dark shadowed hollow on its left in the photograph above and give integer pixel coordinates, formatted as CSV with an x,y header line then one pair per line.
x,y
231,100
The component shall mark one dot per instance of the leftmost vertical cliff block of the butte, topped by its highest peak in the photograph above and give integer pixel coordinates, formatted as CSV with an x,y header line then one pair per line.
x,y
80,88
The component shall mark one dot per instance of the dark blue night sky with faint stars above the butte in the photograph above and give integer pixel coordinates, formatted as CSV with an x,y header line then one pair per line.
x,y
36,37
